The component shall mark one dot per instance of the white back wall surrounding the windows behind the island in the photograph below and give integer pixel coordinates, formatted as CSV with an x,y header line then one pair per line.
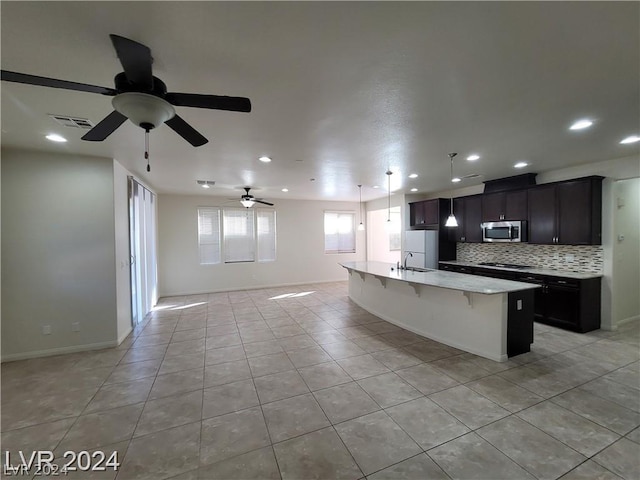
x,y
300,248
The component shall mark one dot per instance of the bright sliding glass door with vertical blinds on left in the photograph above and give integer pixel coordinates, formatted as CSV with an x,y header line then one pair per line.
x,y
142,235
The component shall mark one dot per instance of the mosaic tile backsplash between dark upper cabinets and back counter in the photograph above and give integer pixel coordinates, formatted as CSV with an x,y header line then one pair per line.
x,y
573,258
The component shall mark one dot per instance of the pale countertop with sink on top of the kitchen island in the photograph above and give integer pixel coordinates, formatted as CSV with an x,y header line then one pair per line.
x,y
440,278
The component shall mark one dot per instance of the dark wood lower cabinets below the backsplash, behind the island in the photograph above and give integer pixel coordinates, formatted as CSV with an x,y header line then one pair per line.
x,y
569,303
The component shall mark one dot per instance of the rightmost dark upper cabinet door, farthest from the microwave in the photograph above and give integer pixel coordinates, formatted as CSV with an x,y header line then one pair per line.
x,y
574,213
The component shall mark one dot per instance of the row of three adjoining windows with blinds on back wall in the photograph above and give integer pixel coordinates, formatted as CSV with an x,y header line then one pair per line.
x,y
236,235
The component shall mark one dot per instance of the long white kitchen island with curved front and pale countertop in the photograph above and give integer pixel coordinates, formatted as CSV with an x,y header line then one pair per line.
x,y
489,317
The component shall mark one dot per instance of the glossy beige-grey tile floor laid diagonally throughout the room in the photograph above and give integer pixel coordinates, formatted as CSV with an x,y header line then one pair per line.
x,y
300,383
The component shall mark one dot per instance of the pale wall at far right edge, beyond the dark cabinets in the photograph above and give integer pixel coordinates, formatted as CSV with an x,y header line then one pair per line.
x,y
626,250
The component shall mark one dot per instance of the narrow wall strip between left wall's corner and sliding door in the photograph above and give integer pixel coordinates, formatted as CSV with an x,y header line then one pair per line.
x,y
123,270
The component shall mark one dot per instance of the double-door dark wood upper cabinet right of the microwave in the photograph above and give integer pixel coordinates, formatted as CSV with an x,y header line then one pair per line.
x,y
567,213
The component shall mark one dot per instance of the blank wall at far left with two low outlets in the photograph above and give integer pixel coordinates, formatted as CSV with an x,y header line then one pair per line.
x,y
58,251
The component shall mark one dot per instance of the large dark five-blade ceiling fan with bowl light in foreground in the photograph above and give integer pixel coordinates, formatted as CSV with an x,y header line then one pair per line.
x,y
139,96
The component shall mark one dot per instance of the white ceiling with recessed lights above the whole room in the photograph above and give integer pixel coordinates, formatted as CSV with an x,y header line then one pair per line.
x,y
341,91
